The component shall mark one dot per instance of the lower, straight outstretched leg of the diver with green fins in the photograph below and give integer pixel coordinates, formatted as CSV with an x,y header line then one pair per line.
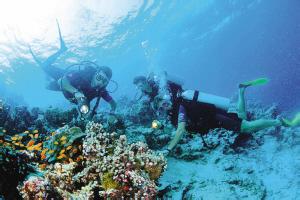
x,y
257,125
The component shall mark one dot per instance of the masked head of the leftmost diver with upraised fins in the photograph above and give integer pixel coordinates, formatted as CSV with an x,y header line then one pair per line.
x,y
102,77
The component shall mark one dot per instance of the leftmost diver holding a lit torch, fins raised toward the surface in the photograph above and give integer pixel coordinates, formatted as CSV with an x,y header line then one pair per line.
x,y
78,86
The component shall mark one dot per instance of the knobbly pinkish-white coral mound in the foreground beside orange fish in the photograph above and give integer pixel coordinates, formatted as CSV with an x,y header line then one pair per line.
x,y
109,168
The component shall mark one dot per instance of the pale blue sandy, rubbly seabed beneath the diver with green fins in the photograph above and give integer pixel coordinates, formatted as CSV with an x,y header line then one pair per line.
x,y
223,164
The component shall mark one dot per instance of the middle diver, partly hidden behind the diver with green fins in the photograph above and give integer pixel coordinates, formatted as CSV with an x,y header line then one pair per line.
x,y
148,86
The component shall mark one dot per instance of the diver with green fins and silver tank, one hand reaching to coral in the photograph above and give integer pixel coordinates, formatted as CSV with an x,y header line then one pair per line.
x,y
194,111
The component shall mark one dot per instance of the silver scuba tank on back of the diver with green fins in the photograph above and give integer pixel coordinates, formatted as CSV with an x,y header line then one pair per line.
x,y
194,95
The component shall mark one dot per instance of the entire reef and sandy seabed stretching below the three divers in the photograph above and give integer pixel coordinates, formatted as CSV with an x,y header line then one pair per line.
x,y
99,162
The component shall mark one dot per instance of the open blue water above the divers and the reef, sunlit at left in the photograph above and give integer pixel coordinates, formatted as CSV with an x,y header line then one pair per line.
x,y
212,45
